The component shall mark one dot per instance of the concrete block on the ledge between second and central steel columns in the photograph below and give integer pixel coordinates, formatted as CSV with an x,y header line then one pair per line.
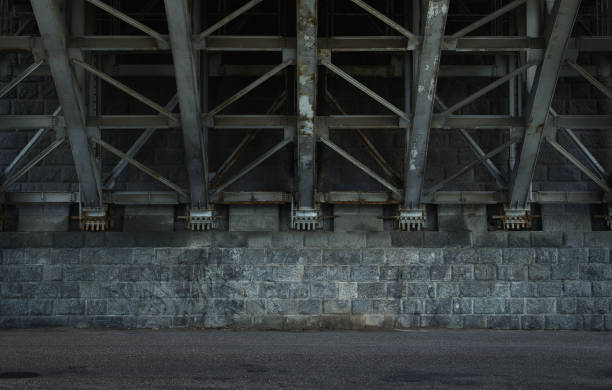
x,y
261,218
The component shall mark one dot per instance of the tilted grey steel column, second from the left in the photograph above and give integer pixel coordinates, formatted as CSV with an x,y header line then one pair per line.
x,y
179,27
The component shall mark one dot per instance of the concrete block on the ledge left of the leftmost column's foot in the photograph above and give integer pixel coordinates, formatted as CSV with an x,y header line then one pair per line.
x,y
43,218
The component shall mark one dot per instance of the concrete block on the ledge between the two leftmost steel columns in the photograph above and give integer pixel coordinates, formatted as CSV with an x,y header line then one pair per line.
x,y
148,219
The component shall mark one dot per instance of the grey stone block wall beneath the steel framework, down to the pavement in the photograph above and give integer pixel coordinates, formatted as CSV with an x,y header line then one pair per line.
x,y
311,280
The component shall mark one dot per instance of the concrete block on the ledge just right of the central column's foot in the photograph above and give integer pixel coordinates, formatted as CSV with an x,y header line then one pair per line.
x,y
358,218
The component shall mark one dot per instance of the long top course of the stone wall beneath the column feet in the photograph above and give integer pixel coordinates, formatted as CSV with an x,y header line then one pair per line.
x,y
425,239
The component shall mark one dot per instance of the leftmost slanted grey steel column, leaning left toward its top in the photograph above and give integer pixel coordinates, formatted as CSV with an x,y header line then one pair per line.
x,y
53,32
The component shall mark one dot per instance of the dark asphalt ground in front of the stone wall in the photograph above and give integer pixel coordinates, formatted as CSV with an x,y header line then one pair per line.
x,y
223,359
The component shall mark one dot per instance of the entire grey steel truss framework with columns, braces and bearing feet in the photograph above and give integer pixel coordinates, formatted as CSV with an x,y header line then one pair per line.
x,y
535,58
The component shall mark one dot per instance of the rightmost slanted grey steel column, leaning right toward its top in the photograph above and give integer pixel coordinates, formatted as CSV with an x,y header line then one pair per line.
x,y
538,107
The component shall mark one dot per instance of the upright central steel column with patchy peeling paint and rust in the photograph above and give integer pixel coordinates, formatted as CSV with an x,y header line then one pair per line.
x,y
307,100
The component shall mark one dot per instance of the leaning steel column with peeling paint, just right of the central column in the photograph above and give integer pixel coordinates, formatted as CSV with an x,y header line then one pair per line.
x,y
425,83
